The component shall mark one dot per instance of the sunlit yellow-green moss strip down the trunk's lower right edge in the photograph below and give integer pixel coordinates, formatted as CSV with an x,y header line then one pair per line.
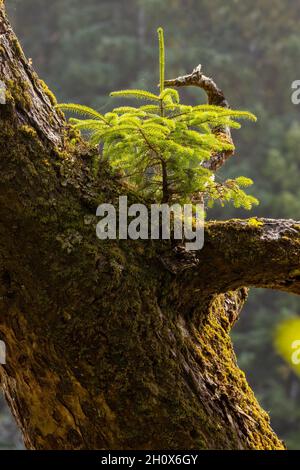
x,y
215,353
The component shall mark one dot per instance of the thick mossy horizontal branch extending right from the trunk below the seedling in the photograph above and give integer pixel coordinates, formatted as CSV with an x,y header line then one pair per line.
x,y
239,253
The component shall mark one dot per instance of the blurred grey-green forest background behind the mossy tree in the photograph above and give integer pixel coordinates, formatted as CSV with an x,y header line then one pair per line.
x,y
251,48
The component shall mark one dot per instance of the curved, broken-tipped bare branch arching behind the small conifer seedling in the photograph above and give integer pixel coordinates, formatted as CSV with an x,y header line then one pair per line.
x,y
216,97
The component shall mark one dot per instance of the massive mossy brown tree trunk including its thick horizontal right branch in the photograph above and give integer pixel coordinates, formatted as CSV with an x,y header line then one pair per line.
x,y
117,344
